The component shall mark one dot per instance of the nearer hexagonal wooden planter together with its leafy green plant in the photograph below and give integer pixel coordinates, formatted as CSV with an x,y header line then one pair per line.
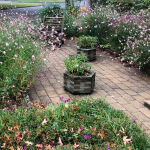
x,y
78,79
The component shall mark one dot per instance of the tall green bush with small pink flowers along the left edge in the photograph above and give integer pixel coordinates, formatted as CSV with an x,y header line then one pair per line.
x,y
19,58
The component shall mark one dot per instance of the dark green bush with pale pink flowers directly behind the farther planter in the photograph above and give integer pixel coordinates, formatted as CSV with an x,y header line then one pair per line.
x,y
96,23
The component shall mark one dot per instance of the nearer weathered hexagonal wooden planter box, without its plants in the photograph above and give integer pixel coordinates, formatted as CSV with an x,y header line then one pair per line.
x,y
79,84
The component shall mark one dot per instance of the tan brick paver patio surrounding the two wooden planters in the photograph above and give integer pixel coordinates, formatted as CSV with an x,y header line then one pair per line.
x,y
124,88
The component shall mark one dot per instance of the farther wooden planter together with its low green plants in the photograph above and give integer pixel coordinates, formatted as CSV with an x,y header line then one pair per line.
x,y
86,45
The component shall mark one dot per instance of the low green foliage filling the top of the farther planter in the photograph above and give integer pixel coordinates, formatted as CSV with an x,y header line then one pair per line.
x,y
87,41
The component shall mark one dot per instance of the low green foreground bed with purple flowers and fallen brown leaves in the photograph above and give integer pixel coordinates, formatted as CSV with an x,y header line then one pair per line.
x,y
87,123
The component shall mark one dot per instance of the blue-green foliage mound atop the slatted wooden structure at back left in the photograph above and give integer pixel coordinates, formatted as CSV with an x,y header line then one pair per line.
x,y
50,11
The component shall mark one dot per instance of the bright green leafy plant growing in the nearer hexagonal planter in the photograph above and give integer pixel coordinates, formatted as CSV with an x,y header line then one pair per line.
x,y
77,65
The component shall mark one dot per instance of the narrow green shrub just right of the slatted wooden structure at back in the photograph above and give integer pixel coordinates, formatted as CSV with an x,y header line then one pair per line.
x,y
69,28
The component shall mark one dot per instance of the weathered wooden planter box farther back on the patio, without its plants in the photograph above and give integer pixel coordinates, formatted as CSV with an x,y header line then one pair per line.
x,y
89,52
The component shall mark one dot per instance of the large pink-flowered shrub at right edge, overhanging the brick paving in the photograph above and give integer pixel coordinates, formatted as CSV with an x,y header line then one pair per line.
x,y
131,38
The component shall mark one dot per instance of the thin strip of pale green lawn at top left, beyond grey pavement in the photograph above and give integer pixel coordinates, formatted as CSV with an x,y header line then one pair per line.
x,y
17,5
